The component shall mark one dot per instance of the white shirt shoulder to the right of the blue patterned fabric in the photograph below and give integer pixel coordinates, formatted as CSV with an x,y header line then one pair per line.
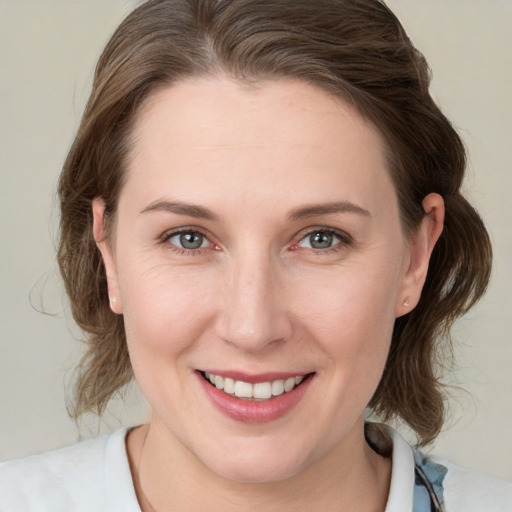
x,y
469,490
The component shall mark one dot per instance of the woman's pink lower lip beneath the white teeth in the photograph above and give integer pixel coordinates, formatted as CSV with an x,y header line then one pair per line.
x,y
255,411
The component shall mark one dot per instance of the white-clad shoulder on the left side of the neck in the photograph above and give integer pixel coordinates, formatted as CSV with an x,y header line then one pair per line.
x,y
72,479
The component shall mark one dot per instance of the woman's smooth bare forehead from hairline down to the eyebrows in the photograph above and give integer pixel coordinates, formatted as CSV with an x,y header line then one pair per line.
x,y
226,137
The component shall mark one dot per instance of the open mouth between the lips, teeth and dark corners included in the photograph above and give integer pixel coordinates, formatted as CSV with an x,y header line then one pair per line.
x,y
257,391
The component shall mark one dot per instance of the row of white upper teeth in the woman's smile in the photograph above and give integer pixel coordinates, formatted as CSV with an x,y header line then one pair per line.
x,y
260,390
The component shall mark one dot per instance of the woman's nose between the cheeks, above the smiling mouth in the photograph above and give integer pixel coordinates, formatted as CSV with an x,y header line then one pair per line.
x,y
254,314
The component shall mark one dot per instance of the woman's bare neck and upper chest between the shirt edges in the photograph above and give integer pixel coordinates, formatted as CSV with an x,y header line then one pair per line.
x,y
169,479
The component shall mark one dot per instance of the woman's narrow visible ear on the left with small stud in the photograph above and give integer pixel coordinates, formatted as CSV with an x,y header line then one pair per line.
x,y
107,254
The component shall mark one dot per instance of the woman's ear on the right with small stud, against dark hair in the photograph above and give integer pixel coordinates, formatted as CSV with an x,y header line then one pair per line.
x,y
420,250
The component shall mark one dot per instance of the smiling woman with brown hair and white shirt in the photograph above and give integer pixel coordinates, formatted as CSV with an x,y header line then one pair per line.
x,y
261,222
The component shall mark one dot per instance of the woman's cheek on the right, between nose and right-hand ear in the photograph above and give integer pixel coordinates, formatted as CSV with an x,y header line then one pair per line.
x,y
350,314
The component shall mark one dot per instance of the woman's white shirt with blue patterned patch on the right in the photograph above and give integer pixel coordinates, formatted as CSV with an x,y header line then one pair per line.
x,y
94,475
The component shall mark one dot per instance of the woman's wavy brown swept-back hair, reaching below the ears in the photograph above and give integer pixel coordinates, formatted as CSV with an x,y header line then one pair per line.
x,y
357,51
